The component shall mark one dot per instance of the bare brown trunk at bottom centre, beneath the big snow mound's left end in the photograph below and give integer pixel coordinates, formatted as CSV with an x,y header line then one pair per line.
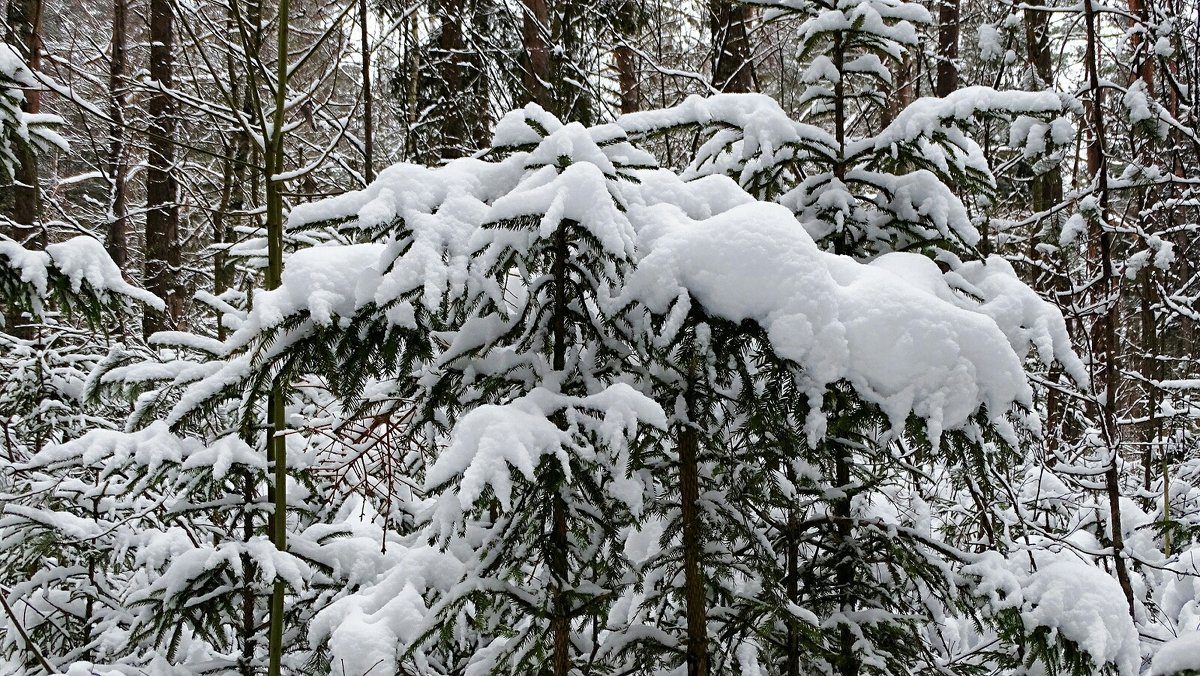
x,y
693,552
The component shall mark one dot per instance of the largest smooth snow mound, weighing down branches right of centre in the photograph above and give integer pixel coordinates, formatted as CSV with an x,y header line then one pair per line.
x,y
897,338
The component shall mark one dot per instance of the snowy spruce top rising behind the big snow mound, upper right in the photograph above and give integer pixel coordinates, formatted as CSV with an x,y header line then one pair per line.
x,y
865,183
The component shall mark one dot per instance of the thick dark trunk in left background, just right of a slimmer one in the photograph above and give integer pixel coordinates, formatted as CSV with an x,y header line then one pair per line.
x,y
163,262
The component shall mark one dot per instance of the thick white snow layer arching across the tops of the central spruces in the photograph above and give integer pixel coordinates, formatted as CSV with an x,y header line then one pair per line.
x,y
899,331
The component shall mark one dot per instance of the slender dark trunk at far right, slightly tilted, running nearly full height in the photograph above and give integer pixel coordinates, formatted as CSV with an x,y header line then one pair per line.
x,y
1107,338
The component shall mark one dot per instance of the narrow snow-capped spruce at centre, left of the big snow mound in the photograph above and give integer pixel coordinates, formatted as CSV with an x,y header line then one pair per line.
x,y
539,356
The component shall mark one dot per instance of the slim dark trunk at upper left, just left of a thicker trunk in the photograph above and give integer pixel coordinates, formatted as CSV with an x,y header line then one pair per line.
x,y
117,242
